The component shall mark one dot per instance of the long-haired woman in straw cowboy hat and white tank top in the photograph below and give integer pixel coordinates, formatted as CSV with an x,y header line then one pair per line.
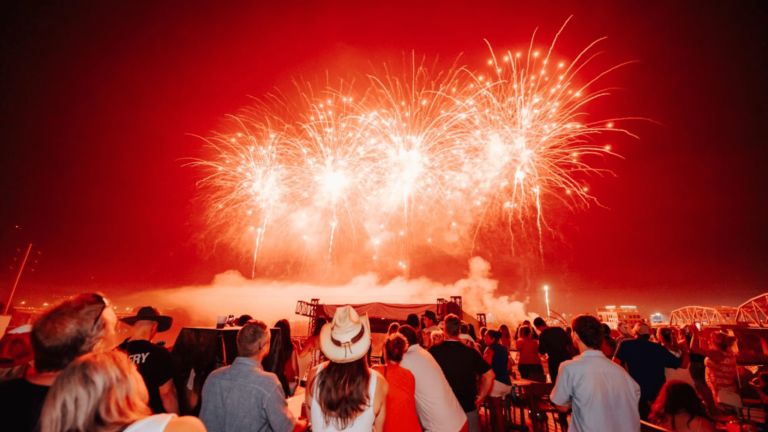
x,y
343,394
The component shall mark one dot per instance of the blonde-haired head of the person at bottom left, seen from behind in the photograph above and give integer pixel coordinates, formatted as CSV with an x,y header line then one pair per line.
x,y
100,391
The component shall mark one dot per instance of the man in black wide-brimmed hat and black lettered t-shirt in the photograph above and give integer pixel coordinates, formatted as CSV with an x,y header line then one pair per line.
x,y
154,362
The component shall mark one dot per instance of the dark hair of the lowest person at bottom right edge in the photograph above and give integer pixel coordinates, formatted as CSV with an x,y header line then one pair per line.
x,y
677,397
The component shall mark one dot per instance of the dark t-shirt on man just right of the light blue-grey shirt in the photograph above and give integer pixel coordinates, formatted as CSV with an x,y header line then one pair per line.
x,y
646,362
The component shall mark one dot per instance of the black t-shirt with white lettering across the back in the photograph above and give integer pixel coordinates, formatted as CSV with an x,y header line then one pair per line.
x,y
155,366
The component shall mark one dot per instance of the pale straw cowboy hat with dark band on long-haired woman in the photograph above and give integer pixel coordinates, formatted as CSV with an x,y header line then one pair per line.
x,y
347,337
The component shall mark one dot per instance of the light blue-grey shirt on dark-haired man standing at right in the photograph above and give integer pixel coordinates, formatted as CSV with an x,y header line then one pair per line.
x,y
603,395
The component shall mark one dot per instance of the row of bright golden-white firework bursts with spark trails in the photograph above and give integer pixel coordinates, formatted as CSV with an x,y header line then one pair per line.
x,y
415,151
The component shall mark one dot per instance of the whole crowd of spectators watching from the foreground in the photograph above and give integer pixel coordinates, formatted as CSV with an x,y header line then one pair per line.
x,y
72,374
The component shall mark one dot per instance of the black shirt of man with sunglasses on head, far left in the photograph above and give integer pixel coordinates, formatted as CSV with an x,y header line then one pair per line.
x,y
20,405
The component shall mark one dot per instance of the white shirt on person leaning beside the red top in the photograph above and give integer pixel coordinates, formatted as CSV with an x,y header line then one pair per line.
x,y
437,406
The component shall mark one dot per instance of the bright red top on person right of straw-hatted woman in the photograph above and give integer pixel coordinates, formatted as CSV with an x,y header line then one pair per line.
x,y
401,400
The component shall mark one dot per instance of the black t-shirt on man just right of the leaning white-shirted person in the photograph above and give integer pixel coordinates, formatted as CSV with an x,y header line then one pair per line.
x,y
461,365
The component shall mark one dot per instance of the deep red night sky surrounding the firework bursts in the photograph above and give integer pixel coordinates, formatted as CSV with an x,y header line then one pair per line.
x,y
99,102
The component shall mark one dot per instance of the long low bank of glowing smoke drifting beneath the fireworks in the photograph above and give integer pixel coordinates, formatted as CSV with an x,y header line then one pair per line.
x,y
232,294
